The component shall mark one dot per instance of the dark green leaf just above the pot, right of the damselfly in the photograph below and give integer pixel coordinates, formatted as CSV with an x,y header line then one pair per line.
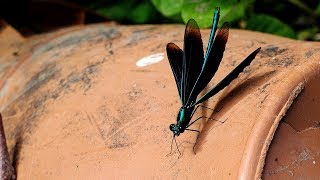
x,y
269,24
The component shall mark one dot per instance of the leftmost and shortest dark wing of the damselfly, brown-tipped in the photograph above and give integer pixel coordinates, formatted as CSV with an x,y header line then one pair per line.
x,y
175,56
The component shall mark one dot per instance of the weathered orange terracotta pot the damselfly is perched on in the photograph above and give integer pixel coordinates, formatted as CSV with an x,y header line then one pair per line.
x,y
76,106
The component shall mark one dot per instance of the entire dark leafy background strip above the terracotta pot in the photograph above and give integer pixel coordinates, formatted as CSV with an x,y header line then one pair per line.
x,y
292,18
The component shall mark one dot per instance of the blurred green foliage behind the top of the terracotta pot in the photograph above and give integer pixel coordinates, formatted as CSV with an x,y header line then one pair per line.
x,y
292,18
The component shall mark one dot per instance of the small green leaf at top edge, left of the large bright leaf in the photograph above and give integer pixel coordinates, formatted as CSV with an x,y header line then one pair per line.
x,y
169,7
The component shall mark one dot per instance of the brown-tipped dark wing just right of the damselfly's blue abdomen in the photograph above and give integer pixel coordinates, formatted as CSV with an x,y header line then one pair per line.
x,y
212,61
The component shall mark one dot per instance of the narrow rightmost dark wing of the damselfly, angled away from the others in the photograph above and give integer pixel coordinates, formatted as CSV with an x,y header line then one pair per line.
x,y
229,78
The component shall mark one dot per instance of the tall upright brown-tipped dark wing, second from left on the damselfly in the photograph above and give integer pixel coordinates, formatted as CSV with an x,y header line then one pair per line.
x,y
192,58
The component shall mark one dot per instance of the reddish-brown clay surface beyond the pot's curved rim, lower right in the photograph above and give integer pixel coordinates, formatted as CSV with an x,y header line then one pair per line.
x,y
294,151
